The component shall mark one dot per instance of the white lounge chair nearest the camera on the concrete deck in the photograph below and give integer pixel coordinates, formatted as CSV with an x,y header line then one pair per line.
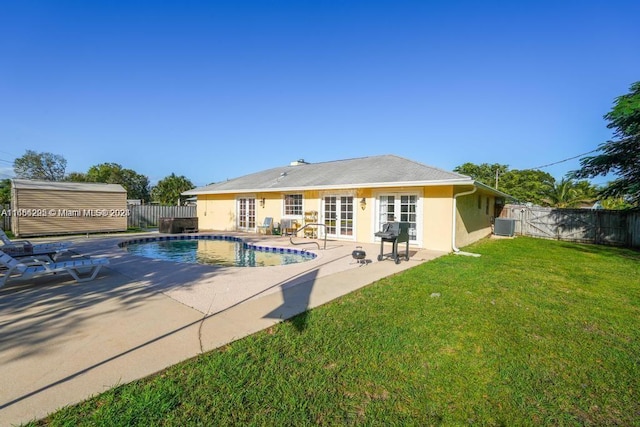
x,y
28,268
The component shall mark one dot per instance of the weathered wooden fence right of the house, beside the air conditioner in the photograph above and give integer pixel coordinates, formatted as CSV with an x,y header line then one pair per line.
x,y
599,226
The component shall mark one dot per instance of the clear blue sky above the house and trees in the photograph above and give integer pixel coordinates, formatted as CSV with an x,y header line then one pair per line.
x,y
217,89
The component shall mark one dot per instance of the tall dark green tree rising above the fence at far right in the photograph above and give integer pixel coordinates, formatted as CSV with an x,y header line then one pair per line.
x,y
621,155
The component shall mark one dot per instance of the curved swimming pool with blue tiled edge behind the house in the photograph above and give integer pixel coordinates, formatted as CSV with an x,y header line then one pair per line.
x,y
225,251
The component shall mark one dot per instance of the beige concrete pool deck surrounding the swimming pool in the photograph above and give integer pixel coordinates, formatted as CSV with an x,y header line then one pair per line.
x,y
62,342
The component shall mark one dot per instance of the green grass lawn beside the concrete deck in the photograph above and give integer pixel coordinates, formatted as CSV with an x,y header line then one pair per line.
x,y
534,332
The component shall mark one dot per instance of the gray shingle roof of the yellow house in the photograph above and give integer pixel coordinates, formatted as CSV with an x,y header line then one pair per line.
x,y
374,171
